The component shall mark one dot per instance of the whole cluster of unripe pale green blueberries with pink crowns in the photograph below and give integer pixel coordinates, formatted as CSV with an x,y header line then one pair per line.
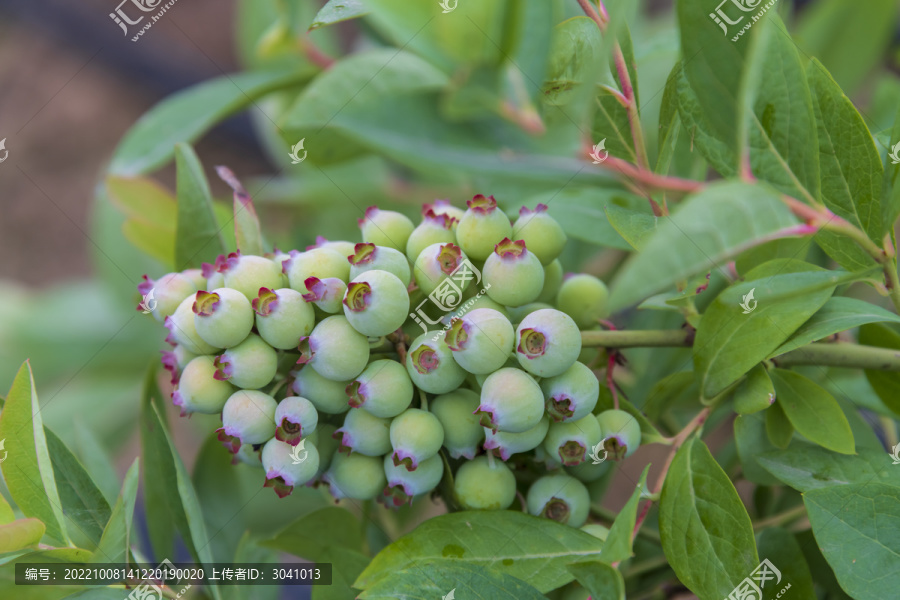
x,y
354,365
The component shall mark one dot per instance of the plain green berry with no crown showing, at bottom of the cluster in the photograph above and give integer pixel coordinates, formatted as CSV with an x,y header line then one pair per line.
x,y
484,484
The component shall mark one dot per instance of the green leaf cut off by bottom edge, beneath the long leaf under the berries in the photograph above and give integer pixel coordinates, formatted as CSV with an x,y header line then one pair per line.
x,y
437,578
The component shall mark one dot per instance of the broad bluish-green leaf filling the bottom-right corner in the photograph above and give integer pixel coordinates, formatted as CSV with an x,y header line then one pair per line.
x,y
857,527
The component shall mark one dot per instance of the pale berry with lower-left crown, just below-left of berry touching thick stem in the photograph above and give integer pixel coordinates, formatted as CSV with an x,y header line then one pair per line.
x,y
511,400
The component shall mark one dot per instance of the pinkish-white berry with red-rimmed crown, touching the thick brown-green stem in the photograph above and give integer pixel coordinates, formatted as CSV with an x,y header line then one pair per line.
x,y
548,342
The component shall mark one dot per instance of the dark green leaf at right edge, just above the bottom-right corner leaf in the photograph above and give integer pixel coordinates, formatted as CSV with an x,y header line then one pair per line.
x,y
805,467
